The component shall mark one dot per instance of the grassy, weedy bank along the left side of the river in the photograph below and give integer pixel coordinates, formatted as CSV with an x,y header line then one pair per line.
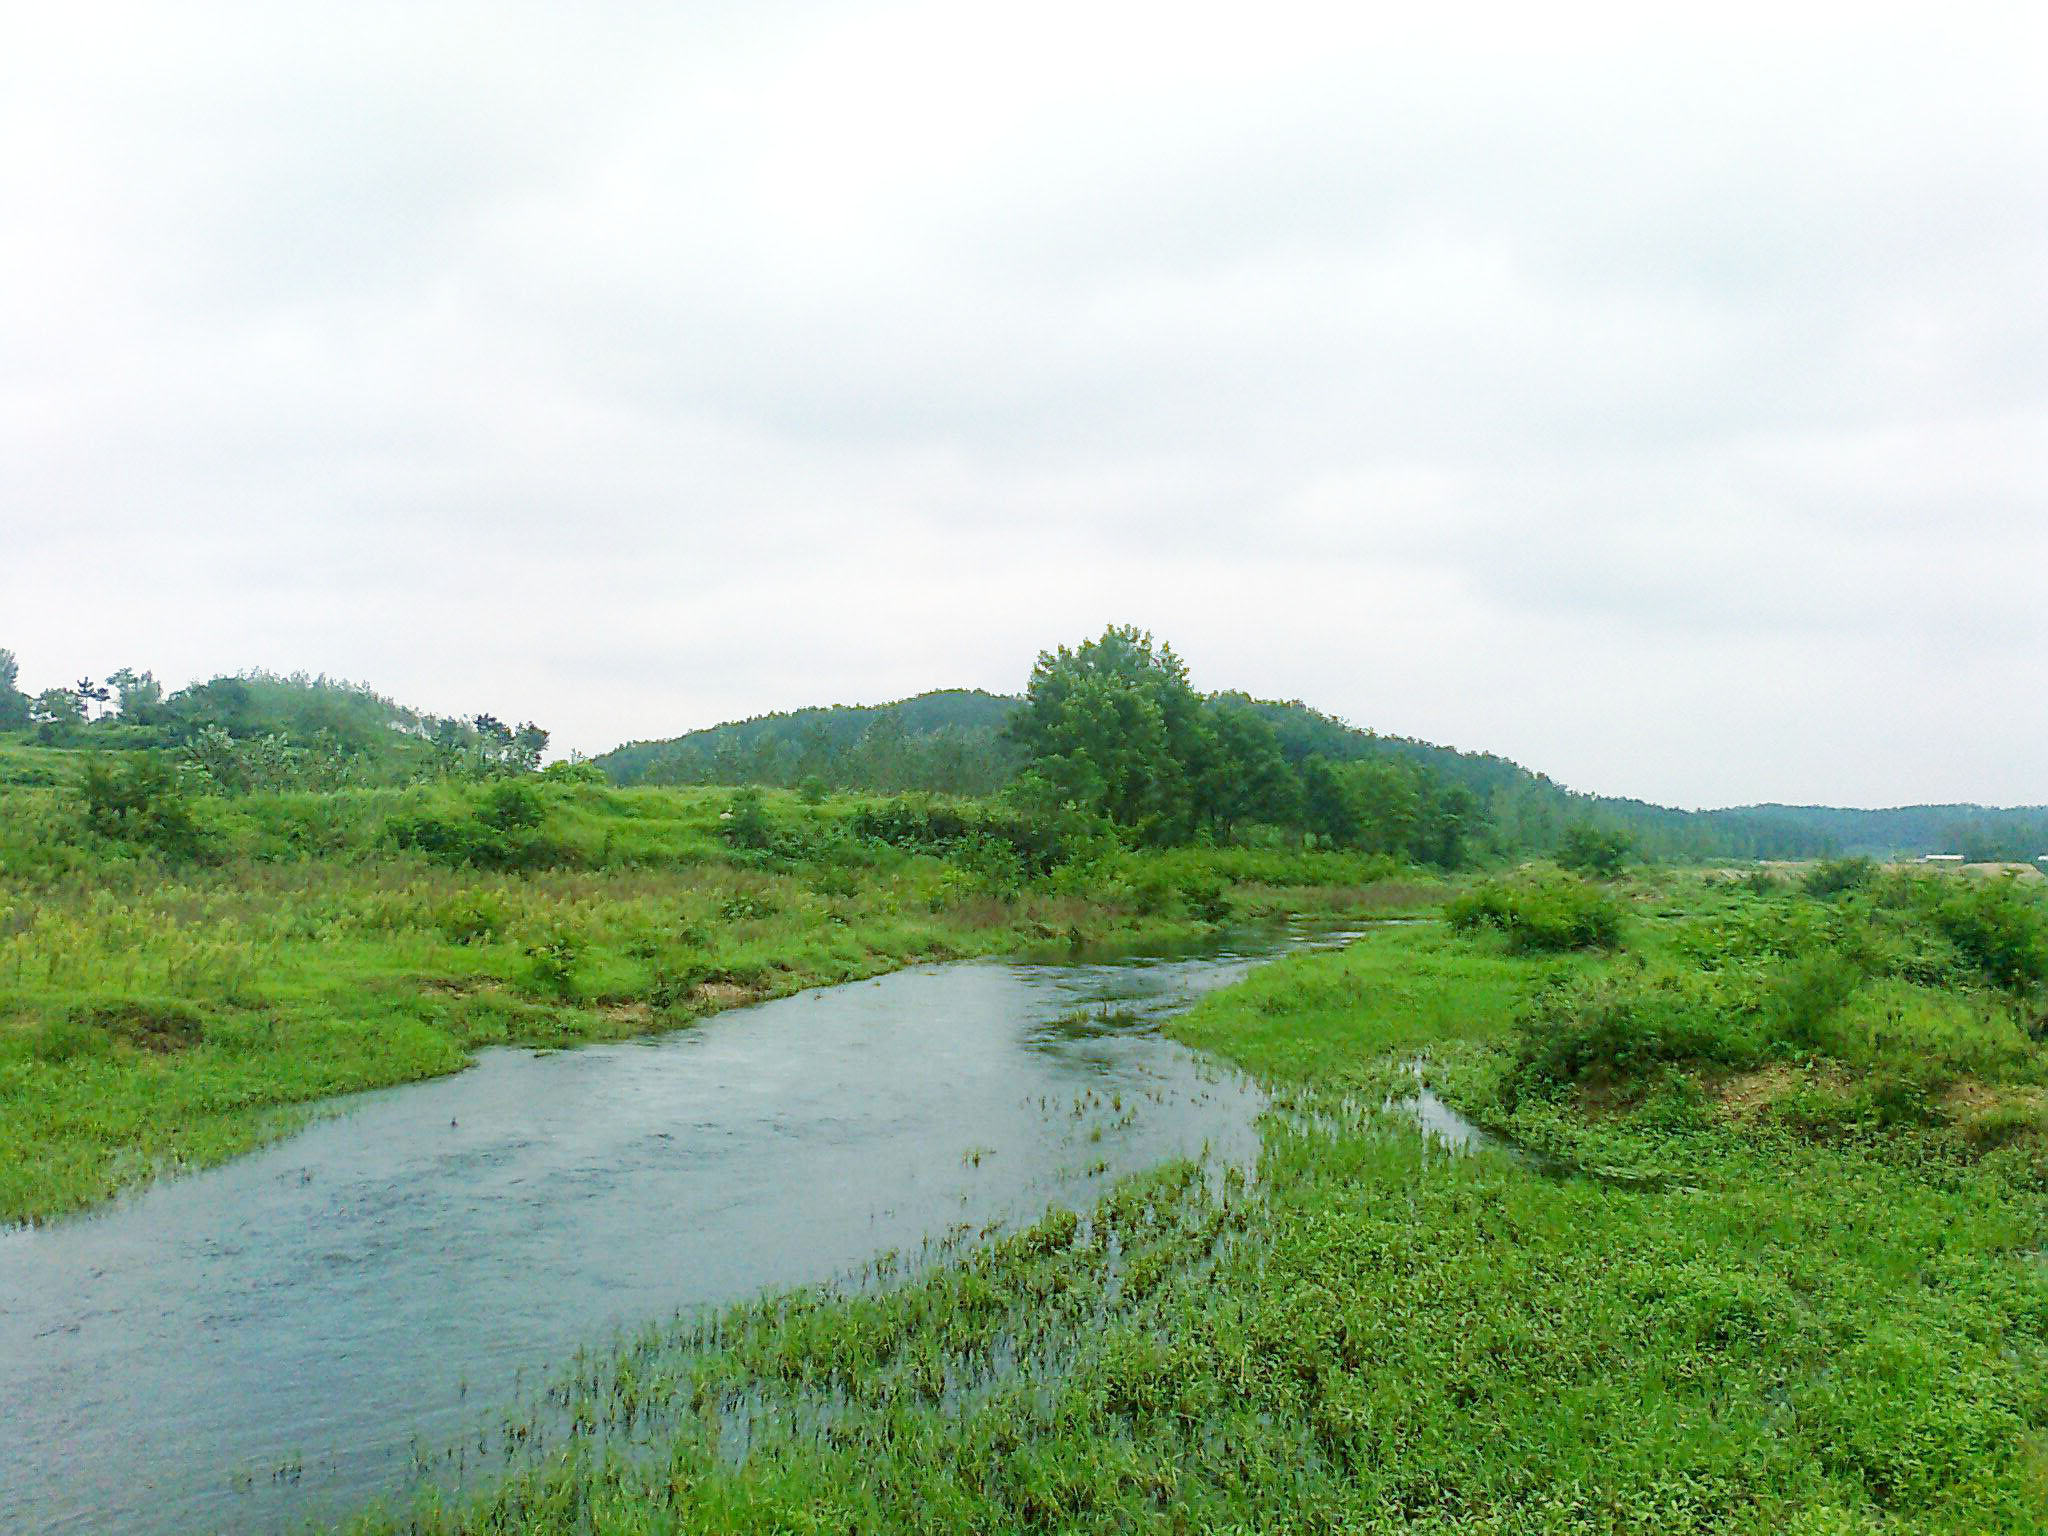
x,y
161,1015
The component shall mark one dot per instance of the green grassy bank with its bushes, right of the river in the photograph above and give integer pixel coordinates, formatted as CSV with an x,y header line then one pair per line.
x,y
1760,1252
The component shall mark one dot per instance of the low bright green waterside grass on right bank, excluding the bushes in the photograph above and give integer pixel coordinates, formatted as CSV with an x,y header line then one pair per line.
x,y
1373,1336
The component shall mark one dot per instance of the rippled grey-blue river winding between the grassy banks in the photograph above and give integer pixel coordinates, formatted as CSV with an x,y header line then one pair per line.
x,y
271,1342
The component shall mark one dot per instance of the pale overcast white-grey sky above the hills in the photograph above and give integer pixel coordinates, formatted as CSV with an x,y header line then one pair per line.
x,y
1658,402
